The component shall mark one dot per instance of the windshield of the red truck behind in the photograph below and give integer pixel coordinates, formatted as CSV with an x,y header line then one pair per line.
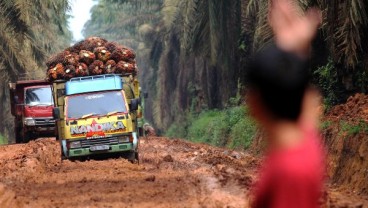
x,y
39,96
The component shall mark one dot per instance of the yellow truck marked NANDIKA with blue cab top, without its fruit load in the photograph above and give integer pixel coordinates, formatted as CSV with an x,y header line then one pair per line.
x,y
98,114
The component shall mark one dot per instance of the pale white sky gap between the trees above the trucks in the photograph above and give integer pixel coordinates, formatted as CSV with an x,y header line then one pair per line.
x,y
80,15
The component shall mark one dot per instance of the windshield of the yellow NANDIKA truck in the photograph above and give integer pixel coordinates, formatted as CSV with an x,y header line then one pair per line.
x,y
95,104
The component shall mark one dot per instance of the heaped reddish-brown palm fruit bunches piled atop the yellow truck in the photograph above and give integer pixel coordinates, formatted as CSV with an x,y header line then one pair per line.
x,y
92,56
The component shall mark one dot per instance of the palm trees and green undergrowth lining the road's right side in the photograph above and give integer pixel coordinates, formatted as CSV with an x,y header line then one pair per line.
x,y
193,55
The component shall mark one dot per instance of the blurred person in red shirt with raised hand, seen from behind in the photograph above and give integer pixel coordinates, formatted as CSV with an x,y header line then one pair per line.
x,y
280,98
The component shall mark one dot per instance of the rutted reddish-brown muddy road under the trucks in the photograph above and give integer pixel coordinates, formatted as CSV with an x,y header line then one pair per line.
x,y
172,173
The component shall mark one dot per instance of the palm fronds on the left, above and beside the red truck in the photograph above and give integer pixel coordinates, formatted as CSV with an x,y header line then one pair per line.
x,y
30,31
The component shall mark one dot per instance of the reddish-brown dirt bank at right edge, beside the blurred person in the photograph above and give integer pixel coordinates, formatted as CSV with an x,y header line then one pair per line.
x,y
345,131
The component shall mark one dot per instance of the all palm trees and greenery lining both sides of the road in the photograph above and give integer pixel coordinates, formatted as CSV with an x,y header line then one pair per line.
x,y
191,53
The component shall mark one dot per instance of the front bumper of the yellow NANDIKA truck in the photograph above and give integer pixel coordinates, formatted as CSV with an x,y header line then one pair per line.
x,y
113,149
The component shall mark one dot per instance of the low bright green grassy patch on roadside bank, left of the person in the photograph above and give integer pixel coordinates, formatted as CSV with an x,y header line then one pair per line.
x,y
231,127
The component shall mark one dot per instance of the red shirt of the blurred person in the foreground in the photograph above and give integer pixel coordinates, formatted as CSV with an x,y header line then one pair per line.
x,y
292,177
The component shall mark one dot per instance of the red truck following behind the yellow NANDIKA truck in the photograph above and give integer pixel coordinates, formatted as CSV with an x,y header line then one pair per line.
x,y
31,105
